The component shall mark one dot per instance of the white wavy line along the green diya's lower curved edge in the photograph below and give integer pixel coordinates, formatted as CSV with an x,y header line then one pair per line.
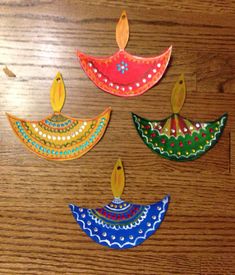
x,y
178,157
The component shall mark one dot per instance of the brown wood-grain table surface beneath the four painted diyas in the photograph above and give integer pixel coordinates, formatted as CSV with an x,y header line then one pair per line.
x,y
38,234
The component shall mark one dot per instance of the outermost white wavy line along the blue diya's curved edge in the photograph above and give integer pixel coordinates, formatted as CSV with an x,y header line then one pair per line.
x,y
165,201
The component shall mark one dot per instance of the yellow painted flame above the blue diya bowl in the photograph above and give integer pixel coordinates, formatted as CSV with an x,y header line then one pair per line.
x,y
118,179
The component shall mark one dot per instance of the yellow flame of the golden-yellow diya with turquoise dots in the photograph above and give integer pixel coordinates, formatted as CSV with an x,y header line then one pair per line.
x,y
57,93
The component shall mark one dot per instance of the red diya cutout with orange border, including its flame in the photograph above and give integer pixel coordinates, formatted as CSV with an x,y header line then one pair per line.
x,y
123,74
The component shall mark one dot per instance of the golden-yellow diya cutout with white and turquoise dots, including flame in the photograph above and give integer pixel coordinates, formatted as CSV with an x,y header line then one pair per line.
x,y
58,136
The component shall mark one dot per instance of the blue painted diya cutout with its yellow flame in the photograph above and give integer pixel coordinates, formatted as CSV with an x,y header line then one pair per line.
x,y
120,224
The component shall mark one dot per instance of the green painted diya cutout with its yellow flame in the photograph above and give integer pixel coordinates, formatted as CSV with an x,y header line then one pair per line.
x,y
178,138
